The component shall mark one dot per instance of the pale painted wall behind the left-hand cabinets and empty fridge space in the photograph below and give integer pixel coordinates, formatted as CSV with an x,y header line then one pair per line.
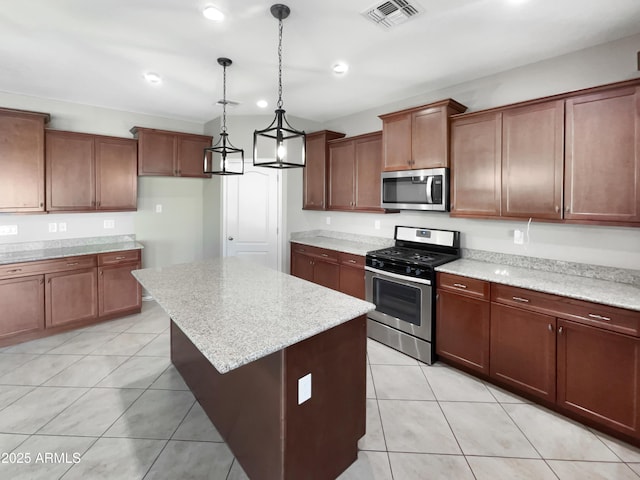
x,y
174,236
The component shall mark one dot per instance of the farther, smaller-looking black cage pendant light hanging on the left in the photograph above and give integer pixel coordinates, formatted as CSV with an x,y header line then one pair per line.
x,y
221,159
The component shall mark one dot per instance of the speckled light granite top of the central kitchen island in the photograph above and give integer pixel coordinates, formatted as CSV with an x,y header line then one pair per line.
x,y
236,312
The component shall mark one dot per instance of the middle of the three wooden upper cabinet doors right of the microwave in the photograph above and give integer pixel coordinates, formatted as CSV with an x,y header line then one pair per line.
x,y
532,160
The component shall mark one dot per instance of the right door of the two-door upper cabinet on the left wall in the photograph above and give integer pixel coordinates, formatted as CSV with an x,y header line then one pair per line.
x,y
116,173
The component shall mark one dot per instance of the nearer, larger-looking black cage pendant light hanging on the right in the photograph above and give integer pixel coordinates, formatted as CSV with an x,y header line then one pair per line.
x,y
279,145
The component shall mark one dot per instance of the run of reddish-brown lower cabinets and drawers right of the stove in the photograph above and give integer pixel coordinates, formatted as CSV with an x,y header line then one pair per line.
x,y
578,357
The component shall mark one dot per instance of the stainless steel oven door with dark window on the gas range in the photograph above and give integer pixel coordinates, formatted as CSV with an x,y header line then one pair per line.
x,y
401,302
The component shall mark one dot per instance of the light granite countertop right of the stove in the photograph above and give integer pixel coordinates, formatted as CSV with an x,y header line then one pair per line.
x,y
583,288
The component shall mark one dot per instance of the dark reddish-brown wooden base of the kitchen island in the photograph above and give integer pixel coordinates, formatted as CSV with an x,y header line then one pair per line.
x,y
255,407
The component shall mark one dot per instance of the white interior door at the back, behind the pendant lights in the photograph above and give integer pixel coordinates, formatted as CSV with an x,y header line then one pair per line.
x,y
252,215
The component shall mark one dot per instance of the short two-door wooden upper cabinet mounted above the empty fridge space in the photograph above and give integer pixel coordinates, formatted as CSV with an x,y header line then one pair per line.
x,y
172,154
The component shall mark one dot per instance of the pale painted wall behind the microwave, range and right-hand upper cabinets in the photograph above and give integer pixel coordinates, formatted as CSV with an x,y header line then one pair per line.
x,y
613,246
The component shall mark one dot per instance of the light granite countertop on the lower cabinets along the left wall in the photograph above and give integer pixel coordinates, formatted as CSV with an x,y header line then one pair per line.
x,y
50,253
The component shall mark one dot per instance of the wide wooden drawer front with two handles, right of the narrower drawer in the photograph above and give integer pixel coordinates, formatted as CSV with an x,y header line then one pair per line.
x,y
589,313
